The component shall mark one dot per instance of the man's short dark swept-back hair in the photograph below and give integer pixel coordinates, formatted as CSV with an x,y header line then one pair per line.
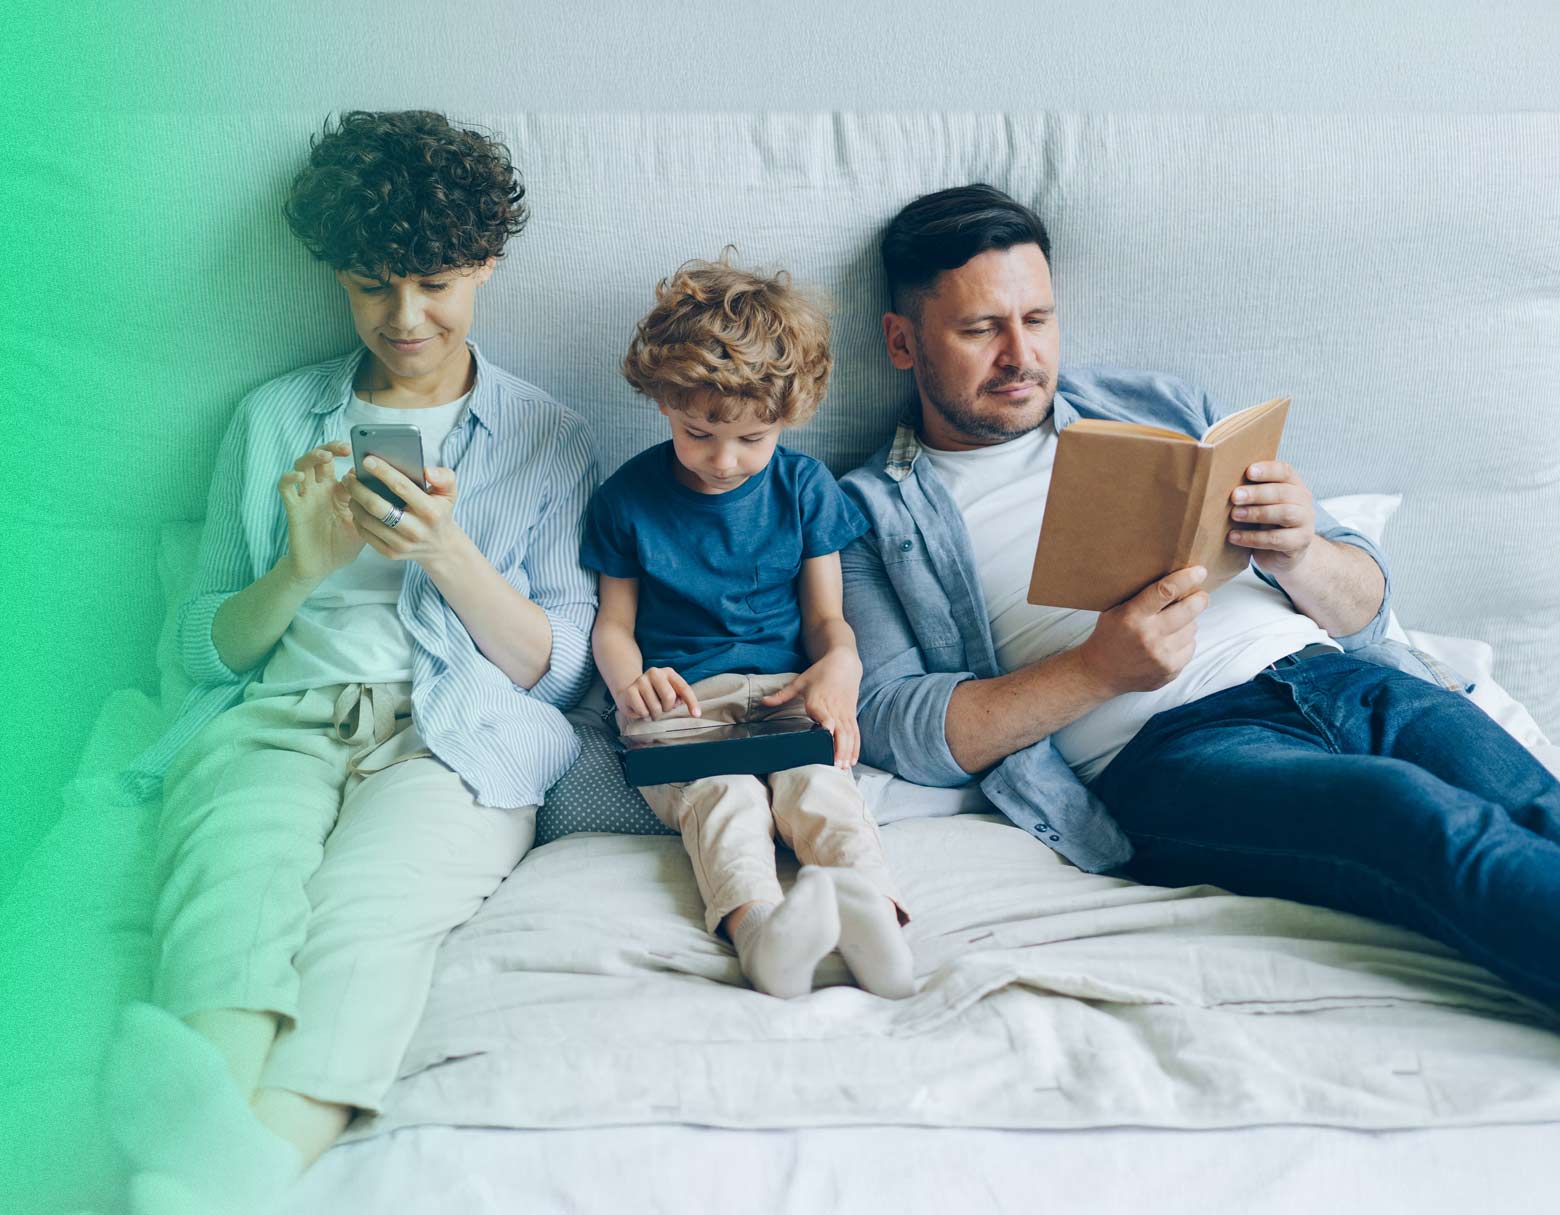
x,y
945,230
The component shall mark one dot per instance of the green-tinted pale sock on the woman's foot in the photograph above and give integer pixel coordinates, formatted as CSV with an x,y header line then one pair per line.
x,y
175,1111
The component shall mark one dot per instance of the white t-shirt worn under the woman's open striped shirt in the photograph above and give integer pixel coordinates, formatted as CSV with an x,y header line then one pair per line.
x,y
349,629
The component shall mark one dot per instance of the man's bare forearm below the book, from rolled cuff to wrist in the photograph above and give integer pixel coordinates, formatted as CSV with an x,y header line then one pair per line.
x,y
993,718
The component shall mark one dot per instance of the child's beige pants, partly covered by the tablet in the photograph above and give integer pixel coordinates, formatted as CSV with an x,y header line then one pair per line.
x,y
729,823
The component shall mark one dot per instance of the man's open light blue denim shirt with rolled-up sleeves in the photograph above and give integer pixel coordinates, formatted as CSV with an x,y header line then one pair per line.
x,y
915,601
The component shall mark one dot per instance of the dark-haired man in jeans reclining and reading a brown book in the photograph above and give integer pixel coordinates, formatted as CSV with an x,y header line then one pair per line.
x,y
1261,739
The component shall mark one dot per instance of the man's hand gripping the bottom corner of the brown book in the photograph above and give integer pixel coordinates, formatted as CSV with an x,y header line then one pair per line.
x,y
1144,643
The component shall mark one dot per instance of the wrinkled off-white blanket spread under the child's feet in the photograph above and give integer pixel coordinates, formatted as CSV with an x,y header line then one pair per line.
x,y
587,994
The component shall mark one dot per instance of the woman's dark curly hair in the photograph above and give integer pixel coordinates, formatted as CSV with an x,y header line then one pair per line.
x,y
405,193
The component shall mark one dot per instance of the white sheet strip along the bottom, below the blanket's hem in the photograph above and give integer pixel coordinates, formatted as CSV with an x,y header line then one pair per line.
x,y
689,1171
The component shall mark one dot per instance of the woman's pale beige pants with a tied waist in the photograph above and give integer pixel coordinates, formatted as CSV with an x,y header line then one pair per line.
x,y
313,859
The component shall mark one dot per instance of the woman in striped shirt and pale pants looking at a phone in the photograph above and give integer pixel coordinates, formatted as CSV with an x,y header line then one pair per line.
x,y
377,714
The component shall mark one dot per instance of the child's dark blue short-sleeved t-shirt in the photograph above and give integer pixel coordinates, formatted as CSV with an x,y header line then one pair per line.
x,y
718,572
